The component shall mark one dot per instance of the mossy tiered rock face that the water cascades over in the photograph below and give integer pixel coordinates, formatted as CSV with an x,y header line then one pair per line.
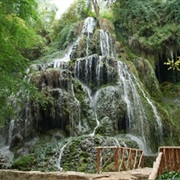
x,y
94,97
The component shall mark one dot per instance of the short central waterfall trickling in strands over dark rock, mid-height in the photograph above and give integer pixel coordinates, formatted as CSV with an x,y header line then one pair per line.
x,y
94,71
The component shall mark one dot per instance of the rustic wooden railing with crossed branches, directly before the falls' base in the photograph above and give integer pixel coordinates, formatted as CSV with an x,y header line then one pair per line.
x,y
121,158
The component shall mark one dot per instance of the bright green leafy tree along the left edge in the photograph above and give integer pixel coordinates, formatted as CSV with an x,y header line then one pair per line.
x,y
16,35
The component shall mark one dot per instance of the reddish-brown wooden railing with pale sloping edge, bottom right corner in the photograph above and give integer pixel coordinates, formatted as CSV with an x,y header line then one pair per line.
x,y
168,160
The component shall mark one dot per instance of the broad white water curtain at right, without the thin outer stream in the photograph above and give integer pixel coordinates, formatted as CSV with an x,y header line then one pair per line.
x,y
136,118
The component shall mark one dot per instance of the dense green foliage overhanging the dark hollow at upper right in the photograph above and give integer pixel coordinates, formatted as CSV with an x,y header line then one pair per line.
x,y
149,25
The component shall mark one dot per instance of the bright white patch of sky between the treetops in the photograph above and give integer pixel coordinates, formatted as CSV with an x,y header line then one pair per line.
x,y
62,5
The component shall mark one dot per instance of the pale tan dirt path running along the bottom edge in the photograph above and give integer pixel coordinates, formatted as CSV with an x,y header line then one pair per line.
x,y
138,174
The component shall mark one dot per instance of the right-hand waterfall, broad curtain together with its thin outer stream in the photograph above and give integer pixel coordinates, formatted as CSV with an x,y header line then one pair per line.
x,y
134,104
